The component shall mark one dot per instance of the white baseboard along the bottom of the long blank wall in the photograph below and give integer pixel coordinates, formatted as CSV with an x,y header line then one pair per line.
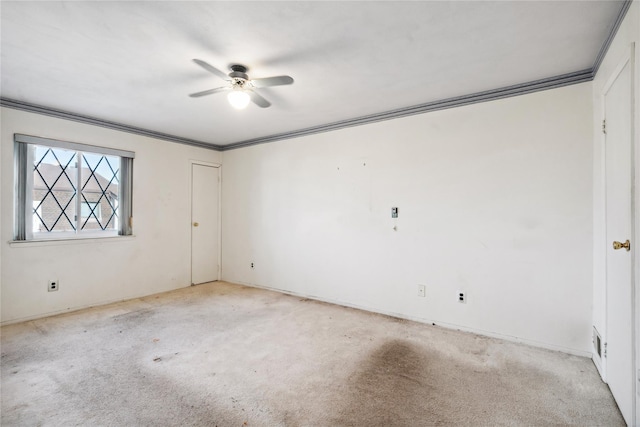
x,y
477,331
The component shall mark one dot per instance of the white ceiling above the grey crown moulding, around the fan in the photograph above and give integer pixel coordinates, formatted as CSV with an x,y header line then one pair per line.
x,y
131,62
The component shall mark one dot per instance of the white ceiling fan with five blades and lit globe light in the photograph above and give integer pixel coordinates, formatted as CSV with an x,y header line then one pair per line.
x,y
240,85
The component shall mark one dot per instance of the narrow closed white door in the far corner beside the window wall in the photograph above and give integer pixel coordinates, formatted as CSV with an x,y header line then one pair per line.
x,y
204,223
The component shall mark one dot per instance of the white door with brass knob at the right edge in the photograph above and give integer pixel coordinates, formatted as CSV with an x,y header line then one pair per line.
x,y
618,140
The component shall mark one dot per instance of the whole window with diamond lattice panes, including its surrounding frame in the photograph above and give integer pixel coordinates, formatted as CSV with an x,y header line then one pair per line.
x,y
67,190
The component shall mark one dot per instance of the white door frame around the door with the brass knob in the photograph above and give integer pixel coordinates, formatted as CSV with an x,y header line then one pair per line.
x,y
629,58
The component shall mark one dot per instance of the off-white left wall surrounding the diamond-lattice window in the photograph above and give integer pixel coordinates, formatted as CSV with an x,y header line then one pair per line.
x,y
93,272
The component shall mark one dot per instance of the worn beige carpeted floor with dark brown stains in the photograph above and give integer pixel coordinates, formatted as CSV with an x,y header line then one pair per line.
x,y
226,355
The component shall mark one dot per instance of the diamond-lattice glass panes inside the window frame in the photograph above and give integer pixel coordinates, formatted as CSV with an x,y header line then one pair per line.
x,y
72,199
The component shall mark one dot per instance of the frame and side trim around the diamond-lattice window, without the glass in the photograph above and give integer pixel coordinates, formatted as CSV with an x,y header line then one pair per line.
x,y
23,180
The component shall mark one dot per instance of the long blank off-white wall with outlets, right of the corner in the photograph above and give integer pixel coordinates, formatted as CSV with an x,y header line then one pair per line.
x,y
494,199
